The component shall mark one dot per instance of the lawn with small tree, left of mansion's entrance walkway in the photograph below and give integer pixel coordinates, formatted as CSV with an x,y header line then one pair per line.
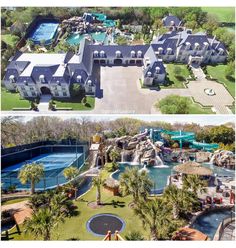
x,y
172,80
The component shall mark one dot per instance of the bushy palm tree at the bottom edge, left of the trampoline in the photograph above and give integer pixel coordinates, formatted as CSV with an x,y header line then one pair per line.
x,y
42,222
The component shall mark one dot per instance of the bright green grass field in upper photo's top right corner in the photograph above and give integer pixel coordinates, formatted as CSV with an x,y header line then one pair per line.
x,y
223,14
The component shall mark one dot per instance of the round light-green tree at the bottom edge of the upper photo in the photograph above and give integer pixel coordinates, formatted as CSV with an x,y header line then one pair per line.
x,y
174,104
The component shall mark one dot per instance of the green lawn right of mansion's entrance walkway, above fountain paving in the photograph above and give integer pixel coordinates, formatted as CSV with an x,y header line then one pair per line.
x,y
218,72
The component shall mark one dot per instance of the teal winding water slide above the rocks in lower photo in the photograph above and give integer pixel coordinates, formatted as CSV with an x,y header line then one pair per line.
x,y
182,136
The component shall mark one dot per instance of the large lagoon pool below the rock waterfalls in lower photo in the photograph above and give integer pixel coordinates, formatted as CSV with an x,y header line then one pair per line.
x,y
160,175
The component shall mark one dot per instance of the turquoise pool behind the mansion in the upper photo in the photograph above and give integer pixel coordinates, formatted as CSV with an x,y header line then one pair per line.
x,y
75,39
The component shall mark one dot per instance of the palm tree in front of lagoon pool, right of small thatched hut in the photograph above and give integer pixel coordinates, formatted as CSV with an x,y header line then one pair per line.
x,y
136,183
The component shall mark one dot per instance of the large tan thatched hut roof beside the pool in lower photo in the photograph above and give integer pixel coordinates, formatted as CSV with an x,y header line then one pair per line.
x,y
193,168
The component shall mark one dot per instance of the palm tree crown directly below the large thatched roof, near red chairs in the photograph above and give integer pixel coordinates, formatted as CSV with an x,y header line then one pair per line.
x,y
195,184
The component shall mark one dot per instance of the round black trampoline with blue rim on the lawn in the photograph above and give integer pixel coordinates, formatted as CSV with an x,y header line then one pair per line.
x,y
100,224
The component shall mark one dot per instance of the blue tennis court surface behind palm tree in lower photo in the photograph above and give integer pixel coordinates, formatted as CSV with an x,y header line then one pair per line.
x,y
54,164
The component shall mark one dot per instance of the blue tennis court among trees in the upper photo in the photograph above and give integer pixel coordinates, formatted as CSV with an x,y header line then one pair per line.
x,y
44,31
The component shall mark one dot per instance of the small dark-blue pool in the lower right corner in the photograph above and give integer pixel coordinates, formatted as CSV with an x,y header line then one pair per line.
x,y
209,222
